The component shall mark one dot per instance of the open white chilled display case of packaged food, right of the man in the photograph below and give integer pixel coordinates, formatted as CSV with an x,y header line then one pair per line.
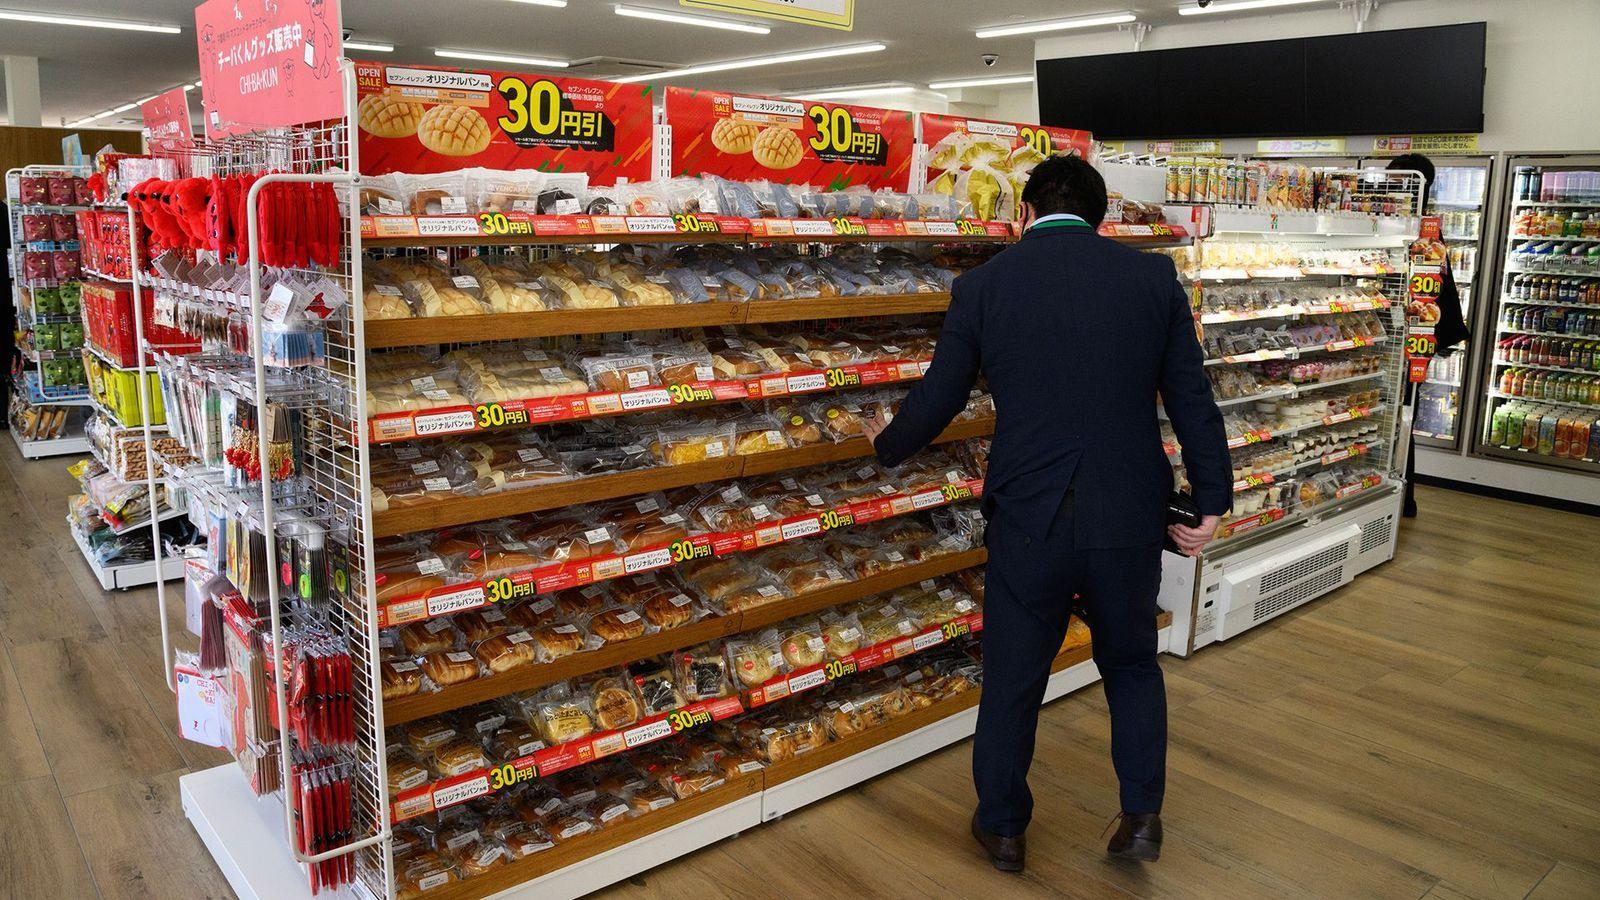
x,y
1303,316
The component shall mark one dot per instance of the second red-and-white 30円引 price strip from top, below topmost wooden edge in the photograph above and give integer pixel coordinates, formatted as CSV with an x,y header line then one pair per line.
x,y
604,404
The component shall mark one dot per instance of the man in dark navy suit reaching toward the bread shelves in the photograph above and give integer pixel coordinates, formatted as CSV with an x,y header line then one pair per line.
x,y
1076,337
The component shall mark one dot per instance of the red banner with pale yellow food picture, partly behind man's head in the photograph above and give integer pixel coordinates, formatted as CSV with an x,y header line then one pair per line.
x,y
986,164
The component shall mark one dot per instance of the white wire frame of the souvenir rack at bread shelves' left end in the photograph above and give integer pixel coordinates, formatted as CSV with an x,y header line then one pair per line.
x,y
332,488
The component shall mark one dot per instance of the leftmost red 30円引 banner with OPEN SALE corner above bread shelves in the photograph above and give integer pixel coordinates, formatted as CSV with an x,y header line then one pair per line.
x,y
425,121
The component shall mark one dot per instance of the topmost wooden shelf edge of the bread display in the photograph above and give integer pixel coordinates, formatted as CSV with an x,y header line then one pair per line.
x,y
561,323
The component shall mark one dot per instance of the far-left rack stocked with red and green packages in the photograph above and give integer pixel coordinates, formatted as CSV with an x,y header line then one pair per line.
x,y
47,403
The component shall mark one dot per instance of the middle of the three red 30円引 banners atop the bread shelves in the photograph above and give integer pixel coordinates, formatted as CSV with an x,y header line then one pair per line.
x,y
826,145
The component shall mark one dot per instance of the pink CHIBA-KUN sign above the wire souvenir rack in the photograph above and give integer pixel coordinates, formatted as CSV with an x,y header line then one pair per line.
x,y
268,63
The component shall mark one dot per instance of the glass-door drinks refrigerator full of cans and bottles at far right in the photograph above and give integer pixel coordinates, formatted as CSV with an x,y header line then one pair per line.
x,y
1543,379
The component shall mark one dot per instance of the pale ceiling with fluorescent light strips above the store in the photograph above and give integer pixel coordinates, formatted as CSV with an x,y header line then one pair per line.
x,y
89,71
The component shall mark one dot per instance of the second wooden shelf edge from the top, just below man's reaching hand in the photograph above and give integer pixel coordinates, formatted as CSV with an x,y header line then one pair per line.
x,y
465,510
